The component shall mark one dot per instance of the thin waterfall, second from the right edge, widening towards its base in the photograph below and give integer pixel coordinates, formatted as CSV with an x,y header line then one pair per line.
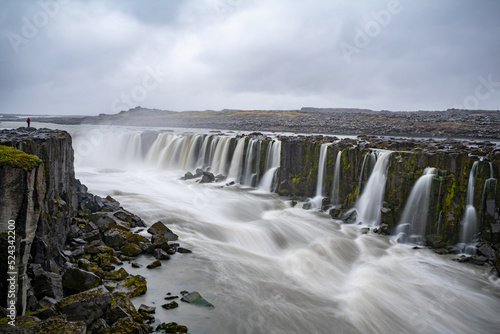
x,y
469,221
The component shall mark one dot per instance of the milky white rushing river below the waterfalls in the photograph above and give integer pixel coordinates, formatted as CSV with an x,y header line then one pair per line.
x,y
269,267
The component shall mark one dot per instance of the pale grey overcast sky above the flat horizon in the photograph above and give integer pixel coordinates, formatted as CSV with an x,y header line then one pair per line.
x,y
90,57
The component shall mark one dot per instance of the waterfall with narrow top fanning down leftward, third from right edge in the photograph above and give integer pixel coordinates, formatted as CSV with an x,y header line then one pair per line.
x,y
411,227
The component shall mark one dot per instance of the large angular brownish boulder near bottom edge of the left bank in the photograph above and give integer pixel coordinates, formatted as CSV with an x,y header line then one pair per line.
x,y
86,306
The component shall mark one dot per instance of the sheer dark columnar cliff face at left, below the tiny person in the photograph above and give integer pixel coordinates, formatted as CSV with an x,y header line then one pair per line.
x,y
41,199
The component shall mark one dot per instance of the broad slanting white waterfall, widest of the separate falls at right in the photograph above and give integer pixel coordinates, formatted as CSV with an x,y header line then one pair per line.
x,y
368,206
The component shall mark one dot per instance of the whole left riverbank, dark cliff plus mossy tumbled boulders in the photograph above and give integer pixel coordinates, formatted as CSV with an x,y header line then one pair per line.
x,y
71,245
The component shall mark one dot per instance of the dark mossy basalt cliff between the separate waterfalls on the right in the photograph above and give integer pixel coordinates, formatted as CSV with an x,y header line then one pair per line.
x,y
453,160
